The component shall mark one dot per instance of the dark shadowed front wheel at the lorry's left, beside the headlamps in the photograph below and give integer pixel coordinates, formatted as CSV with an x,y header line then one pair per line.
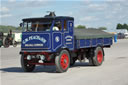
x,y
25,65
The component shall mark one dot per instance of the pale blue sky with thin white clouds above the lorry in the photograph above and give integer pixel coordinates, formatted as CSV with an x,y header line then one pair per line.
x,y
91,13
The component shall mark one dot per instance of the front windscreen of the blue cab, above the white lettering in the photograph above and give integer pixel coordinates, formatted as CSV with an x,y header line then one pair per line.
x,y
36,26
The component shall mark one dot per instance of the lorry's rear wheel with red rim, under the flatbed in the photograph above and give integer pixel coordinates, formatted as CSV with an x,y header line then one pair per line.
x,y
98,57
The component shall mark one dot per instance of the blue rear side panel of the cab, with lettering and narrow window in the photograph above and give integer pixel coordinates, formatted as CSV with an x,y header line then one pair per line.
x,y
68,34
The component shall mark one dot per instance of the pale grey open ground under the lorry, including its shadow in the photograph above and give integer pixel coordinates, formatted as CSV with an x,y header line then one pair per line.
x,y
114,71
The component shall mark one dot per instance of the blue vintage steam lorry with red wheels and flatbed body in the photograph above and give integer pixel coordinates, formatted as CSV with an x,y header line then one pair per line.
x,y
50,40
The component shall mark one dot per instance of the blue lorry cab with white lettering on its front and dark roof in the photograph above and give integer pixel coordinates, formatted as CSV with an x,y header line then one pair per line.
x,y
40,34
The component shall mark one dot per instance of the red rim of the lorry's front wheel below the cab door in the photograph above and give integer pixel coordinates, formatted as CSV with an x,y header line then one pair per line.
x,y
64,61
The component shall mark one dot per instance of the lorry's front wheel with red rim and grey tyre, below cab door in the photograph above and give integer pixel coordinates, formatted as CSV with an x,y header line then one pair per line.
x,y
62,61
